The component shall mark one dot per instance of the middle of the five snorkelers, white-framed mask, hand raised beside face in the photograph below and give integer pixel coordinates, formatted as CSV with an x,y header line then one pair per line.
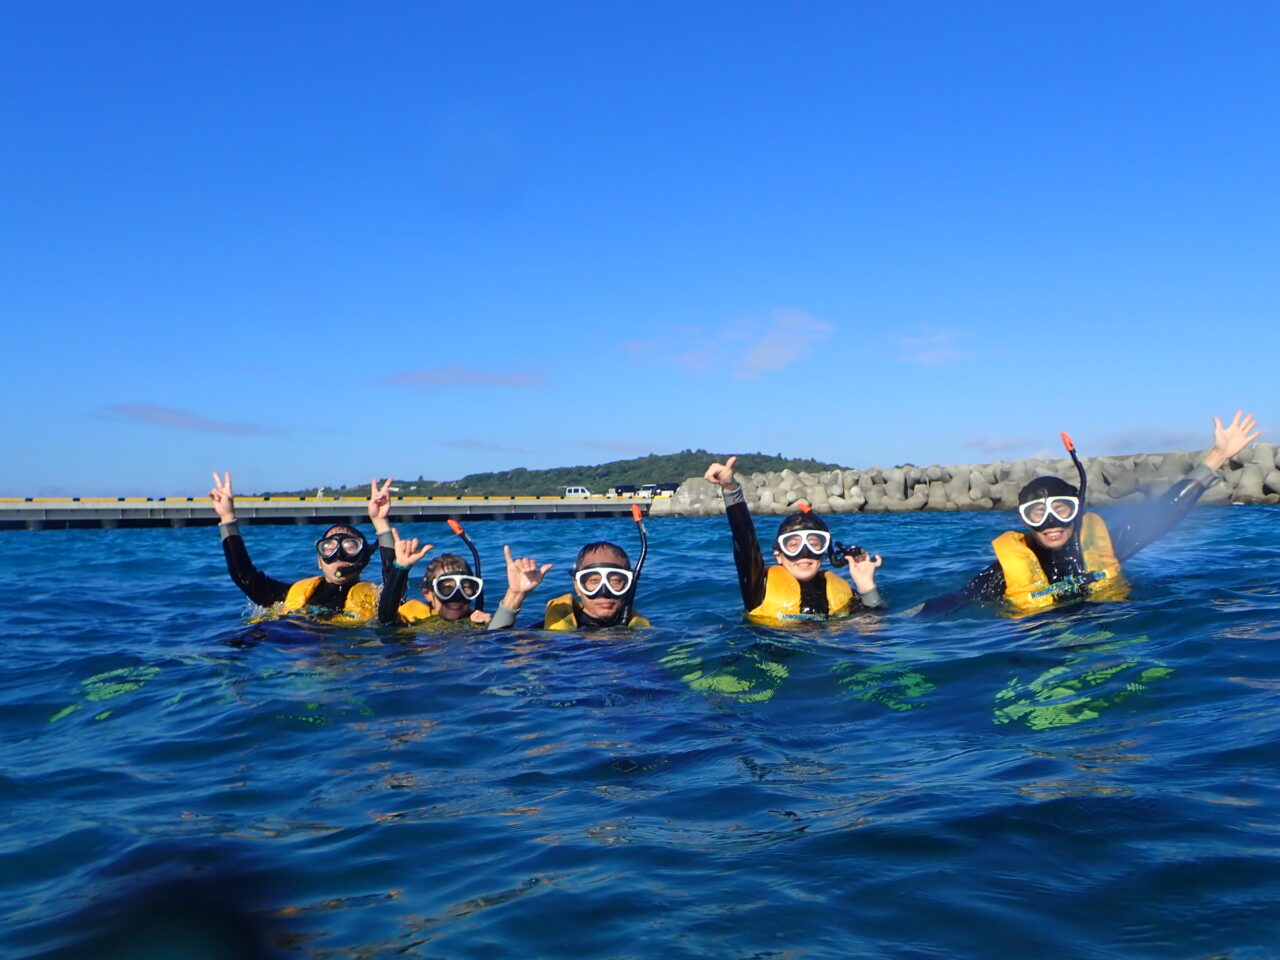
x,y
605,588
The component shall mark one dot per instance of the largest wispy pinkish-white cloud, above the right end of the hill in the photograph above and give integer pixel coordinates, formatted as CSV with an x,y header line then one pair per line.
x,y
746,350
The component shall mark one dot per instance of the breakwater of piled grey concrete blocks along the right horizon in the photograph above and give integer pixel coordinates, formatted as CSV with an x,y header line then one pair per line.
x,y
1254,477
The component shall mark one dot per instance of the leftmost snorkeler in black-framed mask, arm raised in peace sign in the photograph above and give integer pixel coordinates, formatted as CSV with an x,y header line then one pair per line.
x,y
342,555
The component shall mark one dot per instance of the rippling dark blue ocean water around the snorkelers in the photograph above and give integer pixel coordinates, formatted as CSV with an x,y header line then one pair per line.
x,y
1099,783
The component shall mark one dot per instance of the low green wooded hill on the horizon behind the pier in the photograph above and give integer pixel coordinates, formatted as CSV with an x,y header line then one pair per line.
x,y
671,468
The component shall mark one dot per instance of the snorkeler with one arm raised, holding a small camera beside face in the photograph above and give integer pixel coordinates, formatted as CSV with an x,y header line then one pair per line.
x,y
797,588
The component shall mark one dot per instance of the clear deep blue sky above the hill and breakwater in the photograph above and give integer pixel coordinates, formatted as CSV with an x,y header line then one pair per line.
x,y
313,243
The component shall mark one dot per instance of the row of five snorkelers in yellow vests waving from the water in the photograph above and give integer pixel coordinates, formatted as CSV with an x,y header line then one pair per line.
x,y
1062,555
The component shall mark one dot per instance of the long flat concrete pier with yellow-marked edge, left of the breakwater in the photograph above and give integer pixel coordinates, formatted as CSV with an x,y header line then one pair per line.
x,y
86,513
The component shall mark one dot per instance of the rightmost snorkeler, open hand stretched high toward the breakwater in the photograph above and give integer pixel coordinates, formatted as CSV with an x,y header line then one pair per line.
x,y
1062,555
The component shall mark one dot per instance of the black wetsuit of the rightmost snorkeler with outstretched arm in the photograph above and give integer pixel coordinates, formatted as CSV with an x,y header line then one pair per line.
x,y
1145,527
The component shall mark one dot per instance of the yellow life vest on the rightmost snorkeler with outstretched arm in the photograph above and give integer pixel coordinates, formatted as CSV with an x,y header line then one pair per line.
x,y
1028,591
